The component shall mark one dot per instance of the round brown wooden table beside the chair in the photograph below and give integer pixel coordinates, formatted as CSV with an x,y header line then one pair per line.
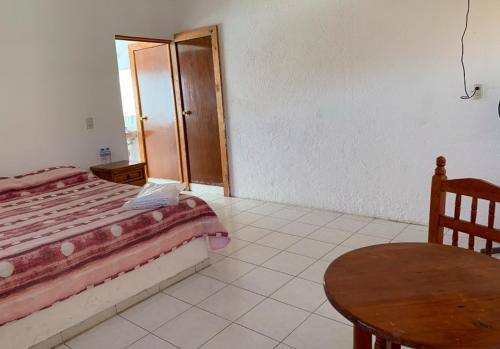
x,y
418,295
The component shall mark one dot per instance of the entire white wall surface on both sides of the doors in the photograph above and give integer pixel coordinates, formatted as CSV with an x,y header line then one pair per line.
x,y
332,104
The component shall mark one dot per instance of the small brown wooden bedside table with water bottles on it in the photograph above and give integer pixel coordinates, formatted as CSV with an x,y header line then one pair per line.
x,y
124,172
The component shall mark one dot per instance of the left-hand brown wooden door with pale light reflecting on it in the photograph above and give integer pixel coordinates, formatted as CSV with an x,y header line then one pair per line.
x,y
152,76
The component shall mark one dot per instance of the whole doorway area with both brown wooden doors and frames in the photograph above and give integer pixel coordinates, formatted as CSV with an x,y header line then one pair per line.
x,y
179,114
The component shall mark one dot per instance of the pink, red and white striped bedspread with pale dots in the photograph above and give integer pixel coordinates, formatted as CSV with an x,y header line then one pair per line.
x,y
63,230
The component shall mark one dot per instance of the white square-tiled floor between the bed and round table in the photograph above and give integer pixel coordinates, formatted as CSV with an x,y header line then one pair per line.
x,y
262,291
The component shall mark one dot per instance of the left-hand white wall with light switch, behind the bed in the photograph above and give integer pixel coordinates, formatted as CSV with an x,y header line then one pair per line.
x,y
57,67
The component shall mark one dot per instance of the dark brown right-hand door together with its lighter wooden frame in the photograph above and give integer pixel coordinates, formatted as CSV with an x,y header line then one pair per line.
x,y
198,89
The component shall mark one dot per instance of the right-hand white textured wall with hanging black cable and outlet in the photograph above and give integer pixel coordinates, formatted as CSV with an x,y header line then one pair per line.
x,y
345,104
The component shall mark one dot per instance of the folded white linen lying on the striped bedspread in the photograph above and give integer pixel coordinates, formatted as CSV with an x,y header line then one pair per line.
x,y
156,195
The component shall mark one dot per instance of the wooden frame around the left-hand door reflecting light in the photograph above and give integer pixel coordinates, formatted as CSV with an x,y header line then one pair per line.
x,y
141,44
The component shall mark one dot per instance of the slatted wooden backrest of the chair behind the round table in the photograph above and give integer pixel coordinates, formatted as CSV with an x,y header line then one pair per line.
x,y
468,187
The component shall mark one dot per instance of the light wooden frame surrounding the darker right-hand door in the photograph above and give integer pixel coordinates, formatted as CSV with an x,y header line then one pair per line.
x,y
211,32
